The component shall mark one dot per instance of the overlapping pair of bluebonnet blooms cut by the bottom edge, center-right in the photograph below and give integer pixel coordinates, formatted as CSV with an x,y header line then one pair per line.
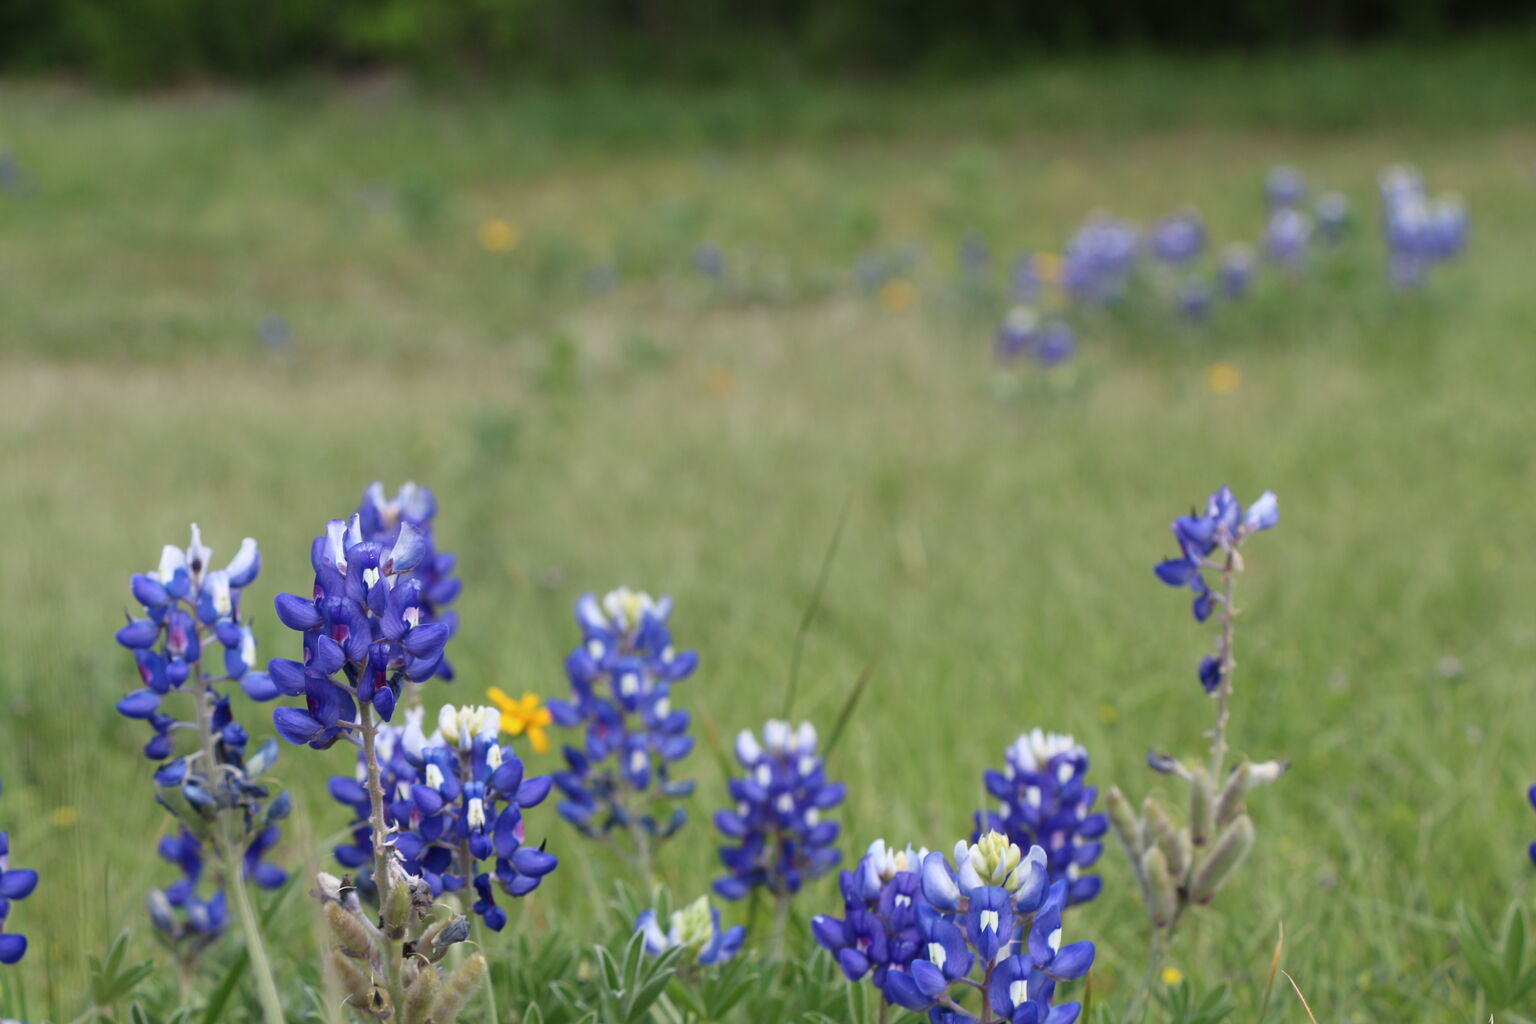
x,y
975,942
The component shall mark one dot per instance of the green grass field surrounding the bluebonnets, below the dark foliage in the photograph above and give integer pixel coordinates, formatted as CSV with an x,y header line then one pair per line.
x,y
701,441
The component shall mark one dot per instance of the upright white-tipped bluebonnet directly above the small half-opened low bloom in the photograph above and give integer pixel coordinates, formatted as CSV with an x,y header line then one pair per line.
x,y
781,841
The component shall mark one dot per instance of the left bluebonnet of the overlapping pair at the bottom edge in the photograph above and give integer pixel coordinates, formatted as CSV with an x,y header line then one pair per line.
x,y
878,933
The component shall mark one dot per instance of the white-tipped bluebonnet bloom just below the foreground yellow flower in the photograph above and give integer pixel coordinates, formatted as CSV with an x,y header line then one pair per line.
x,y
452,801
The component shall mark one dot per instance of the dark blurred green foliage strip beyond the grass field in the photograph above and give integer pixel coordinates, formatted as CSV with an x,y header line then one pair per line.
x,y
139,42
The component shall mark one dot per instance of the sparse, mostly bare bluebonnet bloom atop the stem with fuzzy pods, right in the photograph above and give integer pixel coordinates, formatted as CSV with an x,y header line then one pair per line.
x,y
1210,543
